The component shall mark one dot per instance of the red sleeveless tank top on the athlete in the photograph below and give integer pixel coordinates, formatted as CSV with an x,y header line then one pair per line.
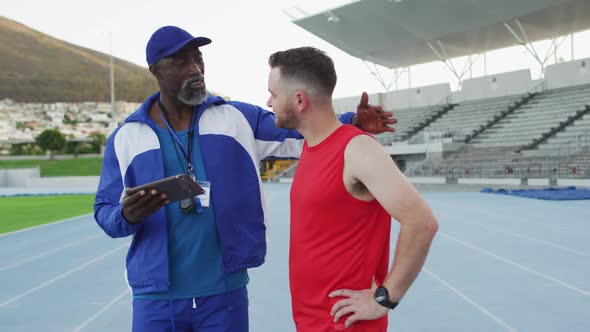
x,y
336,240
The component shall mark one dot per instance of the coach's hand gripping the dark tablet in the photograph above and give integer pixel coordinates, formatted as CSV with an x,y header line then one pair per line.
x,y
142,204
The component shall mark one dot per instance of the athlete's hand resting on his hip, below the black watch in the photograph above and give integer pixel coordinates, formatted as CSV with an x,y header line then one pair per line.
x,y
360,303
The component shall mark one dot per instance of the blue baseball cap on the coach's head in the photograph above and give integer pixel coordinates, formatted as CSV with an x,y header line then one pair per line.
x,y
169,40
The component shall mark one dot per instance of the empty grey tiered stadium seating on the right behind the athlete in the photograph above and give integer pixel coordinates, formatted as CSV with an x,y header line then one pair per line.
x,y
536,134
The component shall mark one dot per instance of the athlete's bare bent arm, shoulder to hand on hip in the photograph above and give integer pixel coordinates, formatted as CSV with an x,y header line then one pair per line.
x,y
367,162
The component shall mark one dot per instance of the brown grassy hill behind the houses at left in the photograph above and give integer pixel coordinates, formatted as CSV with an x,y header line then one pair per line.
x,y
35,67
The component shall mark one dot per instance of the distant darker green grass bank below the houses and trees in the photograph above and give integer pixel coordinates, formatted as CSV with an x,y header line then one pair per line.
x,y
66,167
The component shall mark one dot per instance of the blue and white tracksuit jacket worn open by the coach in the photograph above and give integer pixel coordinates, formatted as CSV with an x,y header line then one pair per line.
x,y
233,138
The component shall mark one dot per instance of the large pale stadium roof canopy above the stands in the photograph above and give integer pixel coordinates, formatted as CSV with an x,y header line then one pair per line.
x,y
400,33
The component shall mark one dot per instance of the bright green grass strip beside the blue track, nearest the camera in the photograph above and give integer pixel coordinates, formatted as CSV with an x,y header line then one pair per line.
x,y
23,212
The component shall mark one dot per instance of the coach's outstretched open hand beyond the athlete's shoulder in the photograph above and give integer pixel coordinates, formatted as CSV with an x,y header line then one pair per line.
x,y
373,119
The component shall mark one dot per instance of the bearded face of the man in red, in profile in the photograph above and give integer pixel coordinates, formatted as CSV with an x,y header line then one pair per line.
x,y
281,101
